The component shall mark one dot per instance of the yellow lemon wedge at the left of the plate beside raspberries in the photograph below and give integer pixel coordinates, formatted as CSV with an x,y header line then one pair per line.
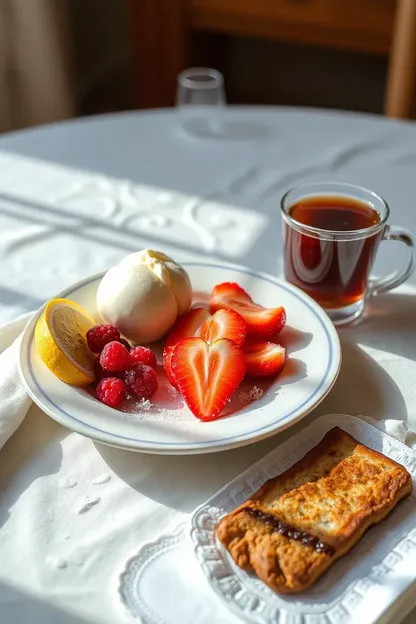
x,y
61,342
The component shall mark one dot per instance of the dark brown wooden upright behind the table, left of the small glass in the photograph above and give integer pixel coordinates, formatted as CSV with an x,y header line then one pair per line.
x,y
159,42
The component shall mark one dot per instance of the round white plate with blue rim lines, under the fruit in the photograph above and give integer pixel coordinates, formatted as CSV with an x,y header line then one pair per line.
x,y
310,372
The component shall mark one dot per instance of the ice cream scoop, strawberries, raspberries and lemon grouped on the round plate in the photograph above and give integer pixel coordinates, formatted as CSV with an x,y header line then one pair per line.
x,y
148,331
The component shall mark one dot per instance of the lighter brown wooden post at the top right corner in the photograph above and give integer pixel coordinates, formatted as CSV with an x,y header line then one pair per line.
x,y
401,80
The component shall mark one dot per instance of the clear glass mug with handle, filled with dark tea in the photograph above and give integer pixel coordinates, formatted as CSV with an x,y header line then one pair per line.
x,y
331,234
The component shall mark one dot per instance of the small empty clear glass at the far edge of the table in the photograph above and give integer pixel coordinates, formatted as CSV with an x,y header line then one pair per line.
x,y
200,99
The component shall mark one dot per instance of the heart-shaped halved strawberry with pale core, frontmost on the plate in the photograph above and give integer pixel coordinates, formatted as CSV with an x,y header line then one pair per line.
x,y
207,374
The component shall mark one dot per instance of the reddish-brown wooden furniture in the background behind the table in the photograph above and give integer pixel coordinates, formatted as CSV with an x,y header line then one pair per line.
x,y
168,35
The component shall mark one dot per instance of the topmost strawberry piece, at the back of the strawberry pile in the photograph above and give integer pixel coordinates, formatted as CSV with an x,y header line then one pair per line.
x,y
262,323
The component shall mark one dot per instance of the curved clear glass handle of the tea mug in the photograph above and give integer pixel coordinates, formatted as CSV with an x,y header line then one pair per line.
x,y
383,284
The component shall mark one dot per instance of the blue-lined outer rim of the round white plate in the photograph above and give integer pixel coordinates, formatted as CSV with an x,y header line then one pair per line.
x,y
49,405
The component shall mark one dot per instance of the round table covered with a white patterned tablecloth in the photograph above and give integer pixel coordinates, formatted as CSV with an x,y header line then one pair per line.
x,y
74,198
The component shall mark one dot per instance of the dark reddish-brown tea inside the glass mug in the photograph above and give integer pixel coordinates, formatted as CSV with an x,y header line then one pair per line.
x,y
332,271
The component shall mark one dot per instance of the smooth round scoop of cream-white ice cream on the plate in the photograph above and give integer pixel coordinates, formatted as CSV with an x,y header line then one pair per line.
x,y
143,295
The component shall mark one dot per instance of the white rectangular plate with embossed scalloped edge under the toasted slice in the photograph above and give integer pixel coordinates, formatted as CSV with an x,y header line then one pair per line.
x,y
363,586
